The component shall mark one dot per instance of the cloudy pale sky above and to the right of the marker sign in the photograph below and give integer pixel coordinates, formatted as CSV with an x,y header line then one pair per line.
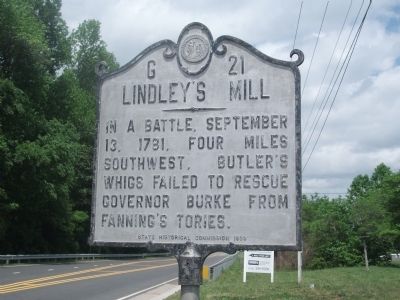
x,y
362,129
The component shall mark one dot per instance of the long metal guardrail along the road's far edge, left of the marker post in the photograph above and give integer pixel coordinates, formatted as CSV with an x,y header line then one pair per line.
x,y
38,257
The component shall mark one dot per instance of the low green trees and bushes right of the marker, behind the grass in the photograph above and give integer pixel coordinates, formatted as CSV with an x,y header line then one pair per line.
x,y
336,232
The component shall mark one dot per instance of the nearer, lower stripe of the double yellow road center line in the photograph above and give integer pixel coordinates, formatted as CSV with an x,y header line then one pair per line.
x,y
44,284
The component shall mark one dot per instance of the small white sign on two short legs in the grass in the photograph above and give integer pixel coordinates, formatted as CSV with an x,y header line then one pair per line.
x,y
258,262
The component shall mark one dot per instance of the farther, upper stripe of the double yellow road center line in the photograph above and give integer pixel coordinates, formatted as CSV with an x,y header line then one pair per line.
x,y
47,278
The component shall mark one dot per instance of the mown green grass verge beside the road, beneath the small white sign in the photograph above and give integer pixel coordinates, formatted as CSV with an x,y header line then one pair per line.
x,y
335,283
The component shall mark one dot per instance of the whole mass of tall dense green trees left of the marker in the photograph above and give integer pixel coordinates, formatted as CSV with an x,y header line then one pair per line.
x,y
47,125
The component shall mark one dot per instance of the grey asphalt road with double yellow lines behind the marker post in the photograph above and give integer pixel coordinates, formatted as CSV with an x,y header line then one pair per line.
x,y
89,280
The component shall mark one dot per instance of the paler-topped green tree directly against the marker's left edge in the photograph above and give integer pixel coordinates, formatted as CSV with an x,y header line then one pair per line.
x,y
77,86
